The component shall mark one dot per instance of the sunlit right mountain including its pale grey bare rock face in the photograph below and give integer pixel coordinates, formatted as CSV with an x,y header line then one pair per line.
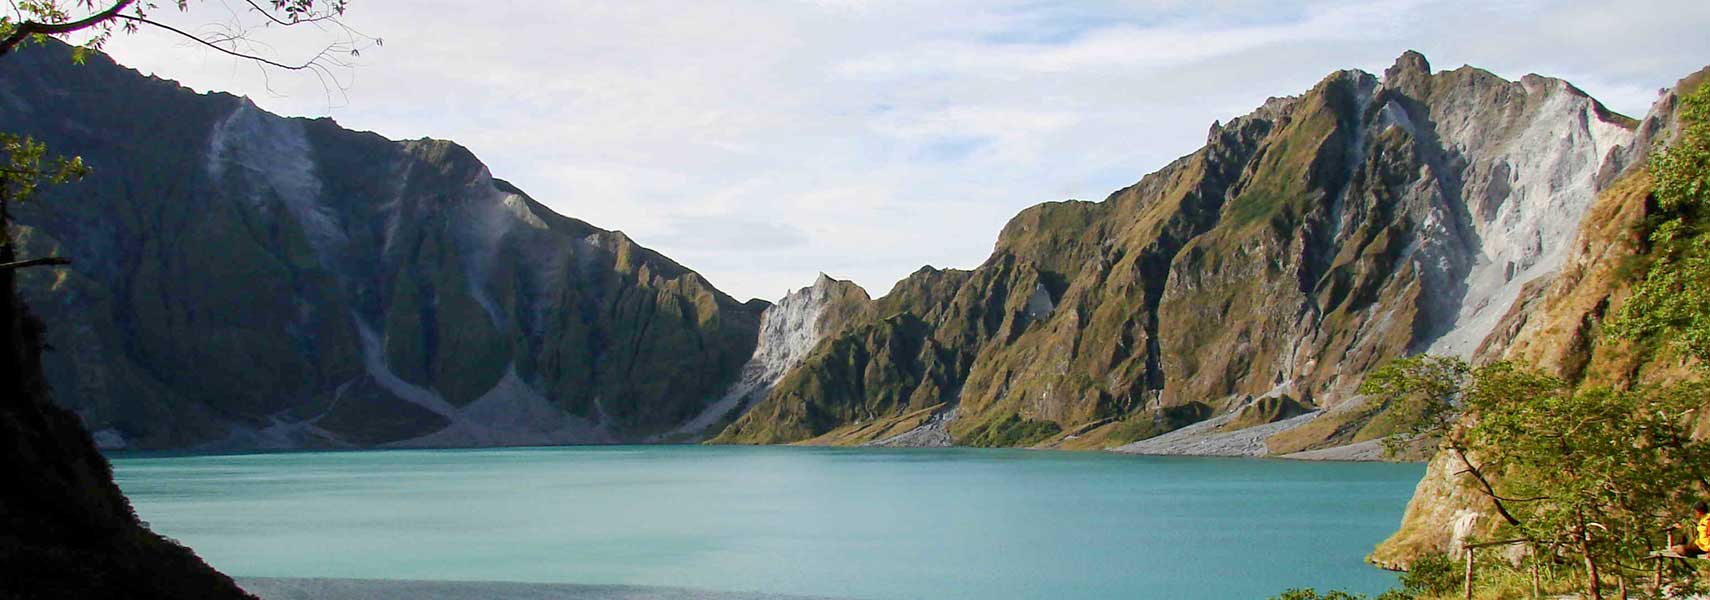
x,y
1304,245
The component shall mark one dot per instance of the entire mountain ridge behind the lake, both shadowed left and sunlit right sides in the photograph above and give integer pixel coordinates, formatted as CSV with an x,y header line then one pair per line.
x,y
1367,218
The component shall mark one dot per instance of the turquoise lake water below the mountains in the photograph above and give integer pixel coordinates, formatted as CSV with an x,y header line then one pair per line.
x,y
849,524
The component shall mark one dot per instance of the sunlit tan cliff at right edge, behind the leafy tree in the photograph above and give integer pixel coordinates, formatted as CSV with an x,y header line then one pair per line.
x,y
1557,327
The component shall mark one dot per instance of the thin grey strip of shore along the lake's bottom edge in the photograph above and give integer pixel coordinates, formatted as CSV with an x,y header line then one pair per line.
x,y
317,589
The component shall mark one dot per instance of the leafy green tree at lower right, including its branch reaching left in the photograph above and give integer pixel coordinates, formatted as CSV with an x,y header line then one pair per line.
x,y
1583,473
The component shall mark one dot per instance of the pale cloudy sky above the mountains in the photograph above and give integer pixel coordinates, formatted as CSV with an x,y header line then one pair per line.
x,y
765,143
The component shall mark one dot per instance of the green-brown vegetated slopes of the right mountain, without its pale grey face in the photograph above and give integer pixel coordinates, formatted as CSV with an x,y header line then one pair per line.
x,y
1273,261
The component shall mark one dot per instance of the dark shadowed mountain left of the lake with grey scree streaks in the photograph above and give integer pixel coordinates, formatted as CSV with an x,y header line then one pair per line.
x,y
247,281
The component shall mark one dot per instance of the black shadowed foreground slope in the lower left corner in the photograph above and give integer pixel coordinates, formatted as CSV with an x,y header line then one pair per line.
x,y
66,529
